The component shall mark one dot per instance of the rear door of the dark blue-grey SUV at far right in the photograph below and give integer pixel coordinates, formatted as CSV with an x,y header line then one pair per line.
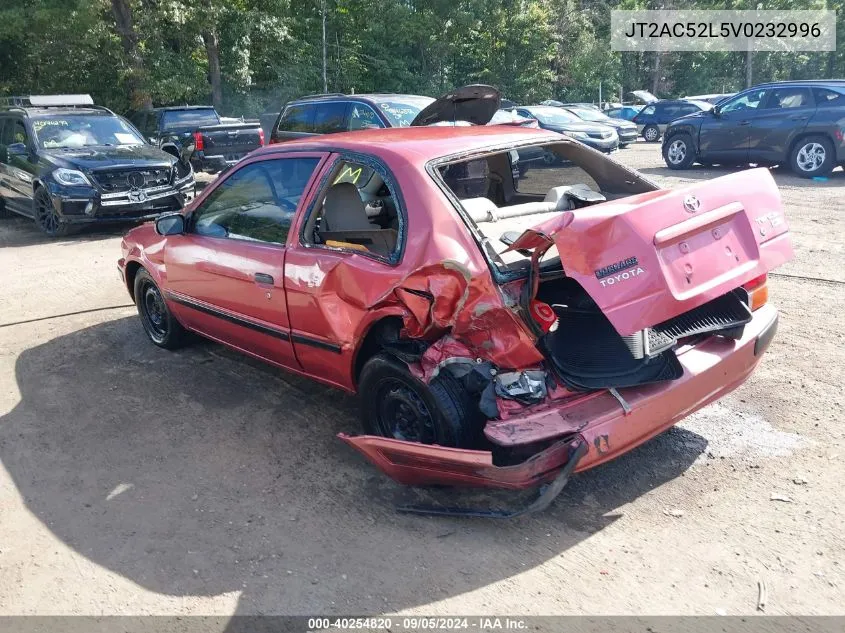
x,y
778,122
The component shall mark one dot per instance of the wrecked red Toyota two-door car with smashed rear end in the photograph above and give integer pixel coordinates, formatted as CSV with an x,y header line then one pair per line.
x,y
506,320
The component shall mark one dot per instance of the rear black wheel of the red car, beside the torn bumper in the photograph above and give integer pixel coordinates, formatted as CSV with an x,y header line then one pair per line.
x,y
397,405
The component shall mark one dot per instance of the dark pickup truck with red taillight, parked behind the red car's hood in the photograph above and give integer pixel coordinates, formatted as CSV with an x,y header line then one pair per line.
x,y
217,142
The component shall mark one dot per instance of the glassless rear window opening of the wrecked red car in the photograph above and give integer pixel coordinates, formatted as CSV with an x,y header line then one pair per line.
x,y
503,193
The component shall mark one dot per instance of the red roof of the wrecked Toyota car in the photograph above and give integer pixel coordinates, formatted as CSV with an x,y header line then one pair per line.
x,y
418,144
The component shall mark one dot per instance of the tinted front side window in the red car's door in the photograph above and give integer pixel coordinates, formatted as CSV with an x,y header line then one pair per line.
x,y
257,202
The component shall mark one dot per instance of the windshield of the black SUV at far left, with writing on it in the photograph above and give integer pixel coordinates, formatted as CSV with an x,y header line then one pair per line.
x,y
83,131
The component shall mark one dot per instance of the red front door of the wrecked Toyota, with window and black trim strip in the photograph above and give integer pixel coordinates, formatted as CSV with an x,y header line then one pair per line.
x,y
225,275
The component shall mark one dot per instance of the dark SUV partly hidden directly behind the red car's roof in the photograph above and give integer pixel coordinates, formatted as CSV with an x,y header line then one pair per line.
x,y
329,113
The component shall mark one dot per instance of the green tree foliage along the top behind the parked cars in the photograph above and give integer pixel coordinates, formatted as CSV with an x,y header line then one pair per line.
x,y
271,50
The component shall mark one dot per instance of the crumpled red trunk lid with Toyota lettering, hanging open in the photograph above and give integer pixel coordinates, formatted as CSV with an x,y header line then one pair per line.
x,y
648,258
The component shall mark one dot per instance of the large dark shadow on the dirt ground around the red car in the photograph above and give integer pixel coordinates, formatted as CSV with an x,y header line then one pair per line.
x,y
198,473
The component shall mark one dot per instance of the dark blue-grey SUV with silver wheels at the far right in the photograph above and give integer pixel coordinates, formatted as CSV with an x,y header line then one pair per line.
x,y
794,122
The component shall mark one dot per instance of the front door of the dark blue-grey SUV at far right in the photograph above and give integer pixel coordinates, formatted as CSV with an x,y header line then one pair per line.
x,y
725,133
